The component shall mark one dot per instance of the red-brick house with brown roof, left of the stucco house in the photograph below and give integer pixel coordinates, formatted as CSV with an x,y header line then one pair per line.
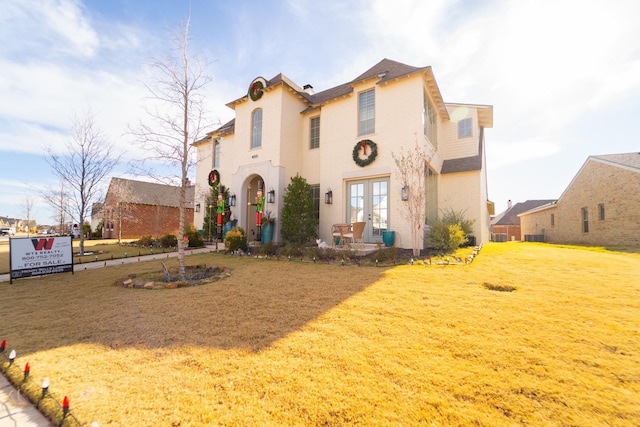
x,y
143,209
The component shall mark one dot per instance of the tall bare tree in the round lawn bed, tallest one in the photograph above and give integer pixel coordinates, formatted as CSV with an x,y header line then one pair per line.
x,y
176,118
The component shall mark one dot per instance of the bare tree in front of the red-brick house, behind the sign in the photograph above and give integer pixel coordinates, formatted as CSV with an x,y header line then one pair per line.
x,y
82,168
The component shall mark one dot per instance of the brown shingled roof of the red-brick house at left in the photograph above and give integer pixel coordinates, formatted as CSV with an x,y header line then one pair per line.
x,y
148,193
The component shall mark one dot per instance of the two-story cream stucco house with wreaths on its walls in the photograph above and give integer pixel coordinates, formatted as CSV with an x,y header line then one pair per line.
x,y
341,141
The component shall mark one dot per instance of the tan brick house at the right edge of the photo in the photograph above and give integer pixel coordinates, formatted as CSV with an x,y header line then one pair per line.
x,y
601,205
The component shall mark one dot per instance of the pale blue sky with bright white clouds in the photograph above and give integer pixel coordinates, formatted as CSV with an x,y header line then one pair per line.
x,y
563,76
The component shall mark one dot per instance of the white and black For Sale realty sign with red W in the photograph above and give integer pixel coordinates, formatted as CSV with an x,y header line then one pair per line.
x,y
38,256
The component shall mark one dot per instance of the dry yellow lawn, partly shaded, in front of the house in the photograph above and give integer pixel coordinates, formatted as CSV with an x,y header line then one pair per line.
x,y
286,343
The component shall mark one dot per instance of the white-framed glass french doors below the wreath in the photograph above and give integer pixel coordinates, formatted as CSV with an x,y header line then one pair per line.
x,y
368,201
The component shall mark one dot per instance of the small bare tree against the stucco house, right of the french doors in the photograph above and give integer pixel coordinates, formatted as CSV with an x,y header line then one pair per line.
x,y
411,166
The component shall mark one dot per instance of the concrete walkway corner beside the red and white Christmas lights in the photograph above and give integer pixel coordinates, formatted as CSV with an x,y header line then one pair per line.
x,y
16,410
